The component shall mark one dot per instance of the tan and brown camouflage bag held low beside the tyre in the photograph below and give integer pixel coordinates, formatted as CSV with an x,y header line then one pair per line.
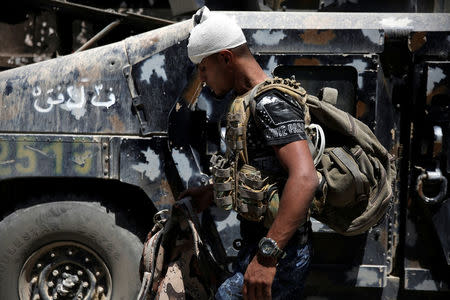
x,y
175,262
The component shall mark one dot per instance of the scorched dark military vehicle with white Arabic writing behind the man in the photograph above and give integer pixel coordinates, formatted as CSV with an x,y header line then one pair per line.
x,y
94,143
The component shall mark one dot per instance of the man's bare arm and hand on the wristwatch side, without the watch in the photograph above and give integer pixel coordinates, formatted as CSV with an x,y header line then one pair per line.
x,y
294,203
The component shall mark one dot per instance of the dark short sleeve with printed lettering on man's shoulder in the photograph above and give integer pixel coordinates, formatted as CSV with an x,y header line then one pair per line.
x,y
280,118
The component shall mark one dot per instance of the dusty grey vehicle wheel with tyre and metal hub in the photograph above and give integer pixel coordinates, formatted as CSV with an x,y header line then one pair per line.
x,y
67,250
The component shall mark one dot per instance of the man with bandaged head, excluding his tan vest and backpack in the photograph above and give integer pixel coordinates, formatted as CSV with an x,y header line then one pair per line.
x,y
275,260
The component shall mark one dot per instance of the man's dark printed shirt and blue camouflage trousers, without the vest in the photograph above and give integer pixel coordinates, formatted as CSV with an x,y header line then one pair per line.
x,y
278,120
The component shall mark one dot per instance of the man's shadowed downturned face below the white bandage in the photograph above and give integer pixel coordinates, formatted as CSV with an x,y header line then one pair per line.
x,y
214,72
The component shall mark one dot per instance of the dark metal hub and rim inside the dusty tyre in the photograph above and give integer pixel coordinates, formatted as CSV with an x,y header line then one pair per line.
x,y
65,270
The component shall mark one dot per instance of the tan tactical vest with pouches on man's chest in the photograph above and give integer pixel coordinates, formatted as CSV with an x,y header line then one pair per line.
x,y
238,185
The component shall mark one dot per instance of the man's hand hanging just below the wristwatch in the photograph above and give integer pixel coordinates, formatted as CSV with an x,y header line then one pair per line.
x,y
259,277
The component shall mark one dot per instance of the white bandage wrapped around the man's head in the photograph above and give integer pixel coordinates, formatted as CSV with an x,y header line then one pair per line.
x,y
212,33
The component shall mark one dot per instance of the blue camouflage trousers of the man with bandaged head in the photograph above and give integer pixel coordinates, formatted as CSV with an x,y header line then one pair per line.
x,y
289,279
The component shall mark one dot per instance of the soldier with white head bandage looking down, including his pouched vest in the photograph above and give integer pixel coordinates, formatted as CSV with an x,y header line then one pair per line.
x,y
275,164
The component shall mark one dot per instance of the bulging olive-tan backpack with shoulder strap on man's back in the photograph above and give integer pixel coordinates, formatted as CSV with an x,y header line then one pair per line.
x,y
355,170
